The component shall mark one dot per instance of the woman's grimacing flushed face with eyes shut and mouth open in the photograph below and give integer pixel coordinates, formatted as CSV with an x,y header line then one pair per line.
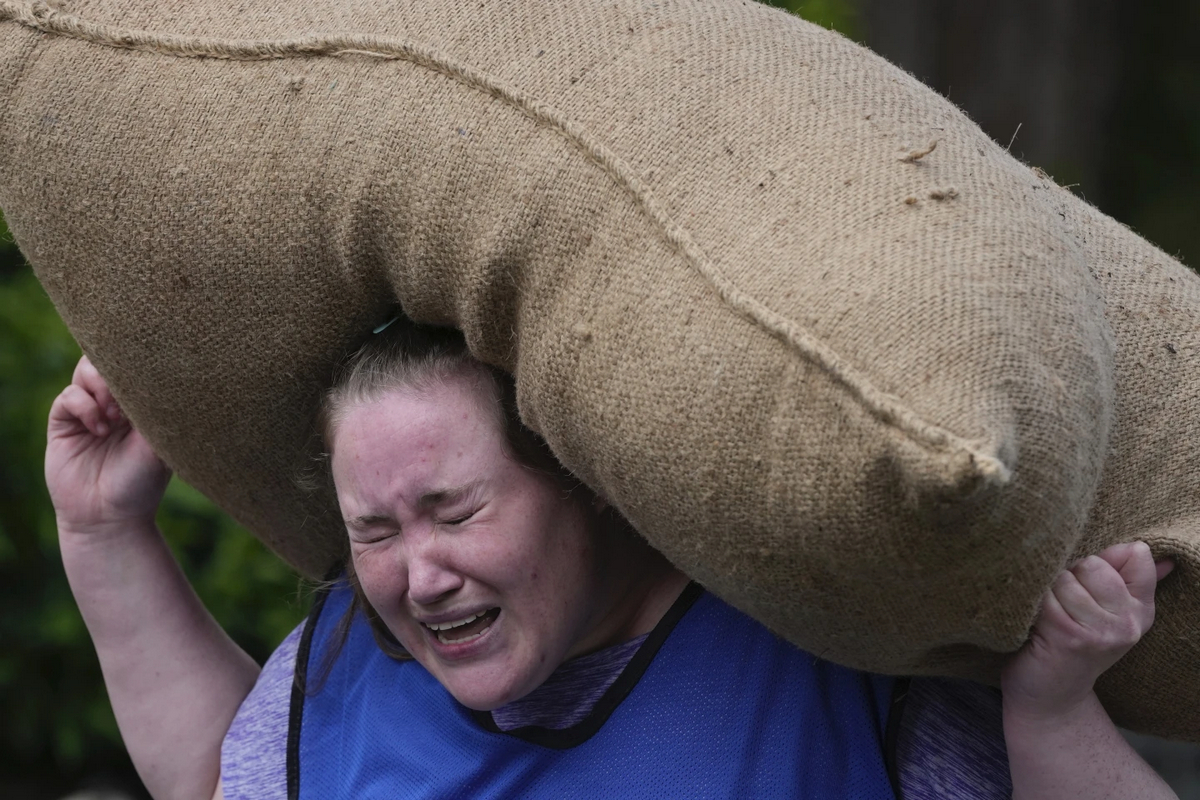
x,y
484,570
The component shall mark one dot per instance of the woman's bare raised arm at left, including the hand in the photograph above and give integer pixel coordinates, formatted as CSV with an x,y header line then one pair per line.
x,y
175,678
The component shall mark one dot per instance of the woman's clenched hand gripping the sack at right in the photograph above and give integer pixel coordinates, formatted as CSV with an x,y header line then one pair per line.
x,y
1093,616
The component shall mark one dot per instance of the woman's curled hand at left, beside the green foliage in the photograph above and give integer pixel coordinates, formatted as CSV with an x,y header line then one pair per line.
x,y
100,472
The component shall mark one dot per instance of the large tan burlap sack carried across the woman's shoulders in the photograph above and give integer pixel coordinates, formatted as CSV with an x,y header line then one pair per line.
x,y
874,392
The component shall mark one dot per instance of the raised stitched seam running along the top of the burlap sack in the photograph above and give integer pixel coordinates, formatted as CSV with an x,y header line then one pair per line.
x,y
885,408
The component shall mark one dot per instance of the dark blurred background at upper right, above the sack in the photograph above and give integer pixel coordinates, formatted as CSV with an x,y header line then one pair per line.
x,y
1103,95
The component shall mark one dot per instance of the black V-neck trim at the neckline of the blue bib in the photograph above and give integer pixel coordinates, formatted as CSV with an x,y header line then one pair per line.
x,y
614,696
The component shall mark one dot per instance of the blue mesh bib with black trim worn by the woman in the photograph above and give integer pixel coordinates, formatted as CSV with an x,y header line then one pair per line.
x,y
712,706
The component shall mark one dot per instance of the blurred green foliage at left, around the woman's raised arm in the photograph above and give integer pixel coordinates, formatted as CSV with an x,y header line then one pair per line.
x,y
56,715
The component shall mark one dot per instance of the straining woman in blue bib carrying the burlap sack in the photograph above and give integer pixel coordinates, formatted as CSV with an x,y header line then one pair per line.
x,y
554,653
